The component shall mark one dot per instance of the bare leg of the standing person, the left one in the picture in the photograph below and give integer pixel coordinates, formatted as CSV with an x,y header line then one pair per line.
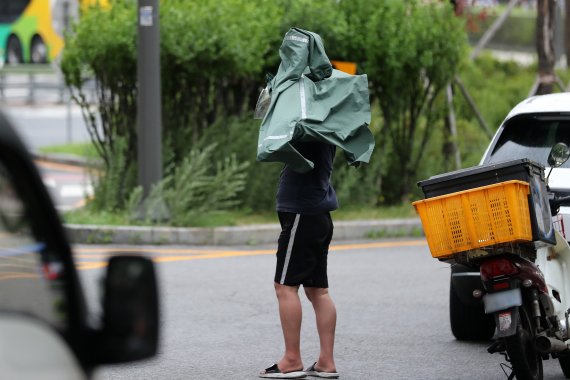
x,y
290,312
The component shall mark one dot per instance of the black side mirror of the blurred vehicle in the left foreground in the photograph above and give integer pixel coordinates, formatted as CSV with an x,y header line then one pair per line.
x,y
130,310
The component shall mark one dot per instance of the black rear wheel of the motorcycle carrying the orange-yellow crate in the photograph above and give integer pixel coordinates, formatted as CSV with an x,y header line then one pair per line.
x,y
525,358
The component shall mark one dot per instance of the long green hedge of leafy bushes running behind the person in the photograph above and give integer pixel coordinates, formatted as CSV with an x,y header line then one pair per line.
x,y
214,57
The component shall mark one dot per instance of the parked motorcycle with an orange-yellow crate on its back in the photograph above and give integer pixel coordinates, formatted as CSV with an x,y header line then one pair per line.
x,y
525,281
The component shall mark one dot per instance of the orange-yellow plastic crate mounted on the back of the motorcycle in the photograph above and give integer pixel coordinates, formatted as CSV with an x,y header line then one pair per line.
x,y
476,218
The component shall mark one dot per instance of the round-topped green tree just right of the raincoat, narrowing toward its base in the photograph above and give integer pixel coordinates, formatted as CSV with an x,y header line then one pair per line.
x,y
413,51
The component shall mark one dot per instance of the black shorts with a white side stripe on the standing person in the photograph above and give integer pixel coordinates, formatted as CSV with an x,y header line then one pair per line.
x,y
302,249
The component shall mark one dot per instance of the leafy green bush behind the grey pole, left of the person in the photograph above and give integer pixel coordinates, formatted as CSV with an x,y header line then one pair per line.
x,y
210,62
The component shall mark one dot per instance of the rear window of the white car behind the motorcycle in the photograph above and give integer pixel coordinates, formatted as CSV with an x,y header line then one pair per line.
x,y
530,137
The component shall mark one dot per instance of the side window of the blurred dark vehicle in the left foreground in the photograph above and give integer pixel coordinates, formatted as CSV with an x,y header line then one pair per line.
x,y
31,279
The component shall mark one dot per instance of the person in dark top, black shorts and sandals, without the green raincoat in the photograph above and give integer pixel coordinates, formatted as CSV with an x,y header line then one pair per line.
x,y
304,203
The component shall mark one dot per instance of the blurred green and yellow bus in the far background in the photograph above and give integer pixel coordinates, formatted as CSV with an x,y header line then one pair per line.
x,y
31,31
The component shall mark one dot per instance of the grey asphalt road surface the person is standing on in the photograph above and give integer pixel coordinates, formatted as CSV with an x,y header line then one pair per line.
x,y
220,316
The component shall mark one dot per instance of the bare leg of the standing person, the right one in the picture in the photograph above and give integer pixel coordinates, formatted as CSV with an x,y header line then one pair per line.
x,y
325,312
